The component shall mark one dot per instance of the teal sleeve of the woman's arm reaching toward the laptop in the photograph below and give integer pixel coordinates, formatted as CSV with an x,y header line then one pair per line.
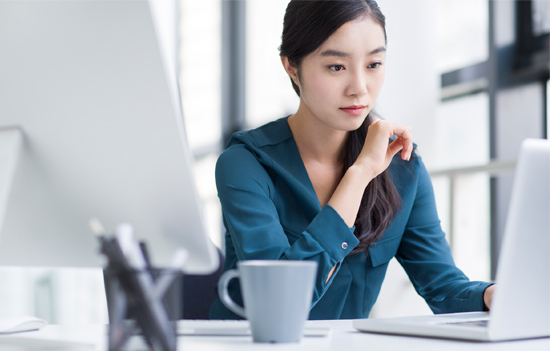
x,y
426,256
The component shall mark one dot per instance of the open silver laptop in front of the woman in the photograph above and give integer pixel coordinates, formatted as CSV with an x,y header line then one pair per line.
x,y
521,303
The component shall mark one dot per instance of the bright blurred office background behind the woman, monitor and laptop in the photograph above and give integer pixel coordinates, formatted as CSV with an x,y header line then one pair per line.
x,y
469,76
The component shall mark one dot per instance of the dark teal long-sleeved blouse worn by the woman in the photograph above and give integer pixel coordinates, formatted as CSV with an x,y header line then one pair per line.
x,y
271,211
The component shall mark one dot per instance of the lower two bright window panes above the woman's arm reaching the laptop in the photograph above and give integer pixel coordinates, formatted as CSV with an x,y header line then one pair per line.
x,y
462,139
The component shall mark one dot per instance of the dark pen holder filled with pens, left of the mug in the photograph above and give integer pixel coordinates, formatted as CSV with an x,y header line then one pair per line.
x,y
144,306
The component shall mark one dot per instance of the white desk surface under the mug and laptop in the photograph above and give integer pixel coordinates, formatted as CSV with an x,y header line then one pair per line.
x,y
341,338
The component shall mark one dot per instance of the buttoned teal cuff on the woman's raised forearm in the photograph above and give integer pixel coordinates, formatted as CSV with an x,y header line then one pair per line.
x,y
332,233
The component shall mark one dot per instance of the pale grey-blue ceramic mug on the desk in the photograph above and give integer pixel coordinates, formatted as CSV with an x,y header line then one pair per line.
x,y
276,295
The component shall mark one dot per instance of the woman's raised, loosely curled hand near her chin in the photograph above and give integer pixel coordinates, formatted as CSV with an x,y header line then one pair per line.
x,y
377,154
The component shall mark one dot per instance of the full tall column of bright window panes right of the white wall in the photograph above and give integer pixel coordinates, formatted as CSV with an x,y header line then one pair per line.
x,y
463,136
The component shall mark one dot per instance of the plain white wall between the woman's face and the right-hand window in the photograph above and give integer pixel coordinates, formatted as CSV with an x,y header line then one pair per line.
x,y
411,91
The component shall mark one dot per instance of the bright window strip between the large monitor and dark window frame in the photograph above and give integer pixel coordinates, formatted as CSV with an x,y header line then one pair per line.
x,y
199,57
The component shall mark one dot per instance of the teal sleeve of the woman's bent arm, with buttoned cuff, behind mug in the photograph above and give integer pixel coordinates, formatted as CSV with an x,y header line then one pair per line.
x,y
245,189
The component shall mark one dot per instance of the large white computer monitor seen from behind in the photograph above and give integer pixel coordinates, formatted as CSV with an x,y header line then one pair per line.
x,y
100,135
